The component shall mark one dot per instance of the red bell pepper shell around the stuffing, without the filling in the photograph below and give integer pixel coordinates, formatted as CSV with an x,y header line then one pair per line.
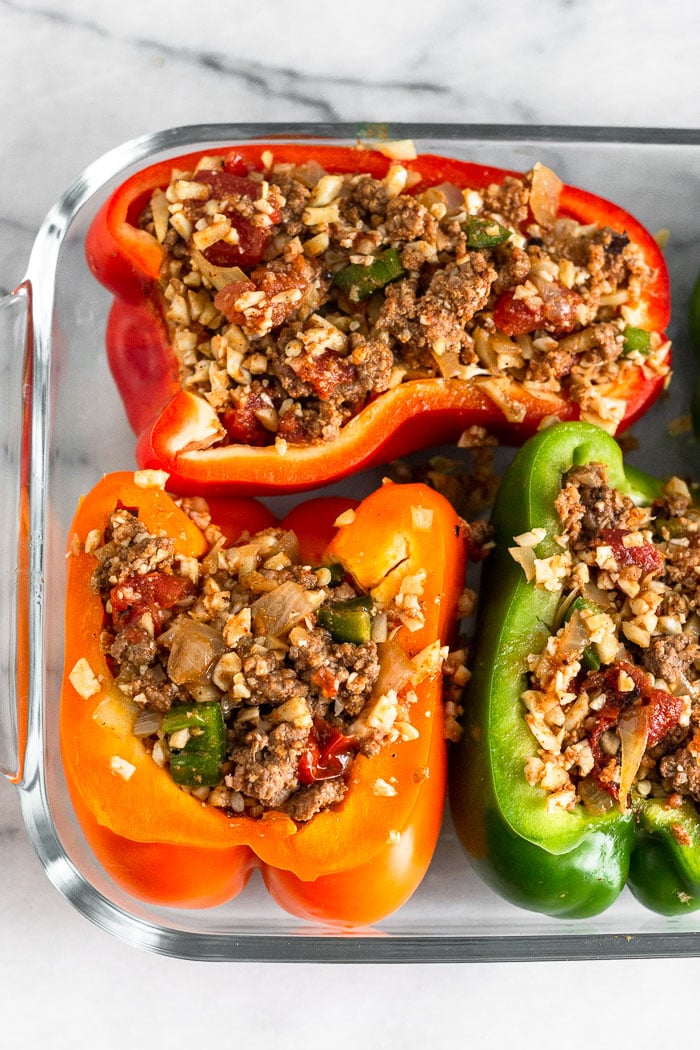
x,y
414,415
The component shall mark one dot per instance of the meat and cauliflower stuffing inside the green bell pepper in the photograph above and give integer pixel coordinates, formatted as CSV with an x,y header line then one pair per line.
x,y
613,700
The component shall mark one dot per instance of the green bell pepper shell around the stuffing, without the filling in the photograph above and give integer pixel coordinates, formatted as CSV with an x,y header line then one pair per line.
x,y
569,865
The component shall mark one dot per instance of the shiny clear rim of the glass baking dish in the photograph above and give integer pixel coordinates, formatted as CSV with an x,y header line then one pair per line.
x,y
332,948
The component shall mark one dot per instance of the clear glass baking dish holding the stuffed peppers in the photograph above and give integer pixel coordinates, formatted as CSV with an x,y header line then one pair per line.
x,y
63,427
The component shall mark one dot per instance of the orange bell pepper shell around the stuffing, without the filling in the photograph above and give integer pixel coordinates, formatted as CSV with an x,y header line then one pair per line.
x,y
162,845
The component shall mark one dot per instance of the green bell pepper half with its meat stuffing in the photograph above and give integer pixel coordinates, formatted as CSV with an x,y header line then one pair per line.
x,y
579,769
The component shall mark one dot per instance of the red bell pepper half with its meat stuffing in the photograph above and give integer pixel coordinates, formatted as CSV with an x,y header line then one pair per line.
x,y
288,314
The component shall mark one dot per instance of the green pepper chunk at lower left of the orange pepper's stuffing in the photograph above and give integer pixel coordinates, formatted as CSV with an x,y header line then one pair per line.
x,y
198,764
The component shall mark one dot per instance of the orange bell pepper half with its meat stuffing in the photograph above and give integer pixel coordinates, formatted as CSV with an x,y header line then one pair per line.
x,y
244,694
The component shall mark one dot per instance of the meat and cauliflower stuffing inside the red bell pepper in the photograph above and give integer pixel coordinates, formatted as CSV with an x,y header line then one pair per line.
x,y
293,297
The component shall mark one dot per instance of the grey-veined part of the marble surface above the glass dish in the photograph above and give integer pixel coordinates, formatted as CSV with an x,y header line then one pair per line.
x,y
99,75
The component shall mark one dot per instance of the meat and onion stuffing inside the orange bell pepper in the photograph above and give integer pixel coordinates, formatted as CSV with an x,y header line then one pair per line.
x,y
259,679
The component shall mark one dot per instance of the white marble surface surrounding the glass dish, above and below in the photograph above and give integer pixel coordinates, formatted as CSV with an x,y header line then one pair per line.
x,y
78,78
